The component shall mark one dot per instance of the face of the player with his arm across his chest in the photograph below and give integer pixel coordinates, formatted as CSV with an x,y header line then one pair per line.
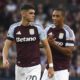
x,y
57,17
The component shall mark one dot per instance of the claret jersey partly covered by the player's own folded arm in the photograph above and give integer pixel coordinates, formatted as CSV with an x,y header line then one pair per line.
x,y
64,37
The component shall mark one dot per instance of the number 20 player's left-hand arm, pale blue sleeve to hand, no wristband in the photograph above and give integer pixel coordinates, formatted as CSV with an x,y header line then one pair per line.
x,y
7,44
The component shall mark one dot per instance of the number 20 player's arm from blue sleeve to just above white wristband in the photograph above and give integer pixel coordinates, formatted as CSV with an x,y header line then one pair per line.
x,y
44,43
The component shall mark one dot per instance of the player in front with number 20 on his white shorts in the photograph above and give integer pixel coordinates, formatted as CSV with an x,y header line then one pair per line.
x,y
27,35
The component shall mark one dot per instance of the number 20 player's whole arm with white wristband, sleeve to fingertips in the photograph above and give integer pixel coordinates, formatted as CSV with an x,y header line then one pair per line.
x,y
43,38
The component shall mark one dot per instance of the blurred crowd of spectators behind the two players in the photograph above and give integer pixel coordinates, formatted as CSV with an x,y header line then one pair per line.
x,y
9,13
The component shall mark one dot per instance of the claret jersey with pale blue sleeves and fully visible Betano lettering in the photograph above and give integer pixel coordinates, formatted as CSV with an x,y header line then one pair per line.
x,y
27,40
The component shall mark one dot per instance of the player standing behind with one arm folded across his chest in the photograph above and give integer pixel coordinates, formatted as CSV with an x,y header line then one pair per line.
x,y
61,40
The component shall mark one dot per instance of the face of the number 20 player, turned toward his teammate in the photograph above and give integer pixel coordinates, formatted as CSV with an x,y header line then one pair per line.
x,y
28,15
